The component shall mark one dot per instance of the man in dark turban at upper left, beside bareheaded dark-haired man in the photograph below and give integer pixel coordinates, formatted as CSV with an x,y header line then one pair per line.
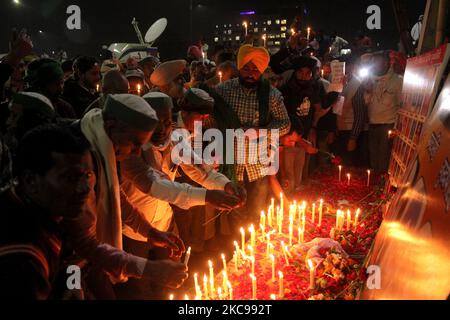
x,y
47,77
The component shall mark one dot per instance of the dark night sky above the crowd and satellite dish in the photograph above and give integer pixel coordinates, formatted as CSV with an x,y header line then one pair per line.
x,y
105,22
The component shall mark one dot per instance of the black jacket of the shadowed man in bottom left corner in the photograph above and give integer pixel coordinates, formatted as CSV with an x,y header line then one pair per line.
x,y
30,245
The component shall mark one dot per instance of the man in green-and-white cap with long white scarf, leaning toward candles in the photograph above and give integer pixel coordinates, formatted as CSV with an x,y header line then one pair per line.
x,y
125,124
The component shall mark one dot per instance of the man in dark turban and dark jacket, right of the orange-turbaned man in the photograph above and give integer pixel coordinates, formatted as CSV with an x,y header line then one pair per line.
x,y
302,96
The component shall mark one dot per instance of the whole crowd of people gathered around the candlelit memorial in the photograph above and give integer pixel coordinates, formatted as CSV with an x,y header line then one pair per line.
x,y
87,174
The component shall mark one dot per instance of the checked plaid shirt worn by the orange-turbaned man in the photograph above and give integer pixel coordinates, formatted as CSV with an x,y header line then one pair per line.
x,y
246,105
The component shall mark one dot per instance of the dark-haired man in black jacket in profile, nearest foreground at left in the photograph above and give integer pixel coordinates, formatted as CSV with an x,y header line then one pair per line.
x,y
55,173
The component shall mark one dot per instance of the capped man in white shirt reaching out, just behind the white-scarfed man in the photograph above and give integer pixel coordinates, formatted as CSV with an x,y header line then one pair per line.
x,y
153,198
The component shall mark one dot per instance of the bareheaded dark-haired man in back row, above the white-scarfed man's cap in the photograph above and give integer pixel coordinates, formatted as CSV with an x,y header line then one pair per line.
x,y
80,90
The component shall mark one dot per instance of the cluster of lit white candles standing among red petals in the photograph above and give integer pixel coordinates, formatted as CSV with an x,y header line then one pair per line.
x,y
245,255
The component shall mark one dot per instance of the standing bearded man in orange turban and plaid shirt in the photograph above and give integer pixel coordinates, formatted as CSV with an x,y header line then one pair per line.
x,y
256,105
